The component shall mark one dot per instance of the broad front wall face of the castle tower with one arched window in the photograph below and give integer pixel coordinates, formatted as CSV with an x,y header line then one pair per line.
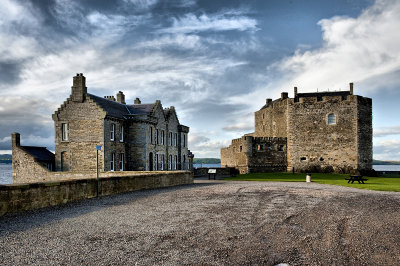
x,y
313,145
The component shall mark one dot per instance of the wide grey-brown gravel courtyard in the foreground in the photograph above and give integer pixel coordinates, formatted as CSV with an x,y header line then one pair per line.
x,y
212,223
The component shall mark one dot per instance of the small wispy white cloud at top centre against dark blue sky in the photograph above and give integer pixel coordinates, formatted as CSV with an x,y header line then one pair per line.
x,y
190,23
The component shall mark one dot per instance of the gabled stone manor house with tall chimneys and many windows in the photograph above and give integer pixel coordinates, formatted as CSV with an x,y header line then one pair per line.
x,y
133,137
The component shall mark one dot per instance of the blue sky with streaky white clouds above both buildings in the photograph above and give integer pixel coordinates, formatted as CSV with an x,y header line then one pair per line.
x,y
215,61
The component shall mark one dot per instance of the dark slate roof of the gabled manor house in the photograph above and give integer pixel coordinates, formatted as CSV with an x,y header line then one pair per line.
x,y
119,110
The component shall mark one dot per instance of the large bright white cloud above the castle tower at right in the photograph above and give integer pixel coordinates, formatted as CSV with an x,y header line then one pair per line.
x,y
354,49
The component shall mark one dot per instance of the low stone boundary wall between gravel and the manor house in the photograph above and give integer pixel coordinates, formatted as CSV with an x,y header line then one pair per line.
x,y
20,197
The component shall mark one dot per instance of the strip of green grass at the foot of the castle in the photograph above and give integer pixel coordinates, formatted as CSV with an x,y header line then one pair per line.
x,y
389,183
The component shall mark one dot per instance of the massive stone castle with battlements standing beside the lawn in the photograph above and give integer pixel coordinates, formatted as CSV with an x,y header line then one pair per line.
x,y
311,132
